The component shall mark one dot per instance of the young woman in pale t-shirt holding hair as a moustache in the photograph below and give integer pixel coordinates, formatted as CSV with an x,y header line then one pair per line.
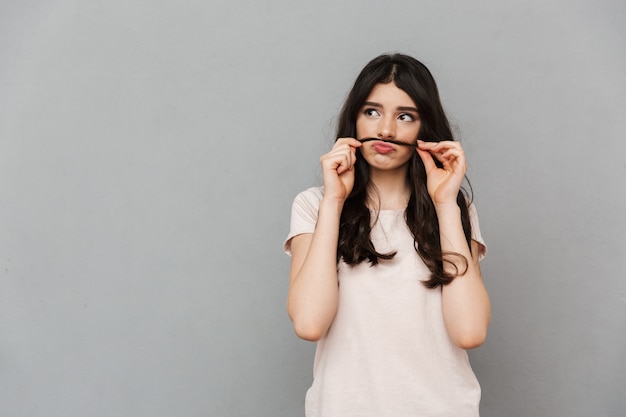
x,y
384,257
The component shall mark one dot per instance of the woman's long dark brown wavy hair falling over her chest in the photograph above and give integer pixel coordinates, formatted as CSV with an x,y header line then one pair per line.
x,y
355,244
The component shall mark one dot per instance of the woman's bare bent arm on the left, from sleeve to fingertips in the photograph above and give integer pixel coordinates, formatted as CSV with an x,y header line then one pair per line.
x,y
313,285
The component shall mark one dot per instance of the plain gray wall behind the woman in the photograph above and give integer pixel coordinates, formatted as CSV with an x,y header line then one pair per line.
x,y
150,151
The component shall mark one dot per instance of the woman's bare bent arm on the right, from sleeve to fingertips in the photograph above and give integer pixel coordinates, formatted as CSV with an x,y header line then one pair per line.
x,y
465,302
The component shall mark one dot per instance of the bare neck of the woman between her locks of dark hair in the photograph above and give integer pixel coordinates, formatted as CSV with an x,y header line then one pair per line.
x,y
388,190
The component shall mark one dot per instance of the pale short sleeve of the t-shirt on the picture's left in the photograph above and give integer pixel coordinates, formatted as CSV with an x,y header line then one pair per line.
x,y
303,214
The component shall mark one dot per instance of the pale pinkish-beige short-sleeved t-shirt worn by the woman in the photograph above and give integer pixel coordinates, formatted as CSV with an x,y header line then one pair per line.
x,y
387,352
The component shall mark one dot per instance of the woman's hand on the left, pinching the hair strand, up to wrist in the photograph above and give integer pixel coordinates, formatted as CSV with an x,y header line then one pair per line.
x,y
338,169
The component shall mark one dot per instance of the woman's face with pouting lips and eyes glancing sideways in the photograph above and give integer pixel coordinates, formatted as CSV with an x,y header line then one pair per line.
x,y
388,113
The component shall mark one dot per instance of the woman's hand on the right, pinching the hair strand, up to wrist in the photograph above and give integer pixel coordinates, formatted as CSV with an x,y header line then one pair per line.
x,y
443,183
